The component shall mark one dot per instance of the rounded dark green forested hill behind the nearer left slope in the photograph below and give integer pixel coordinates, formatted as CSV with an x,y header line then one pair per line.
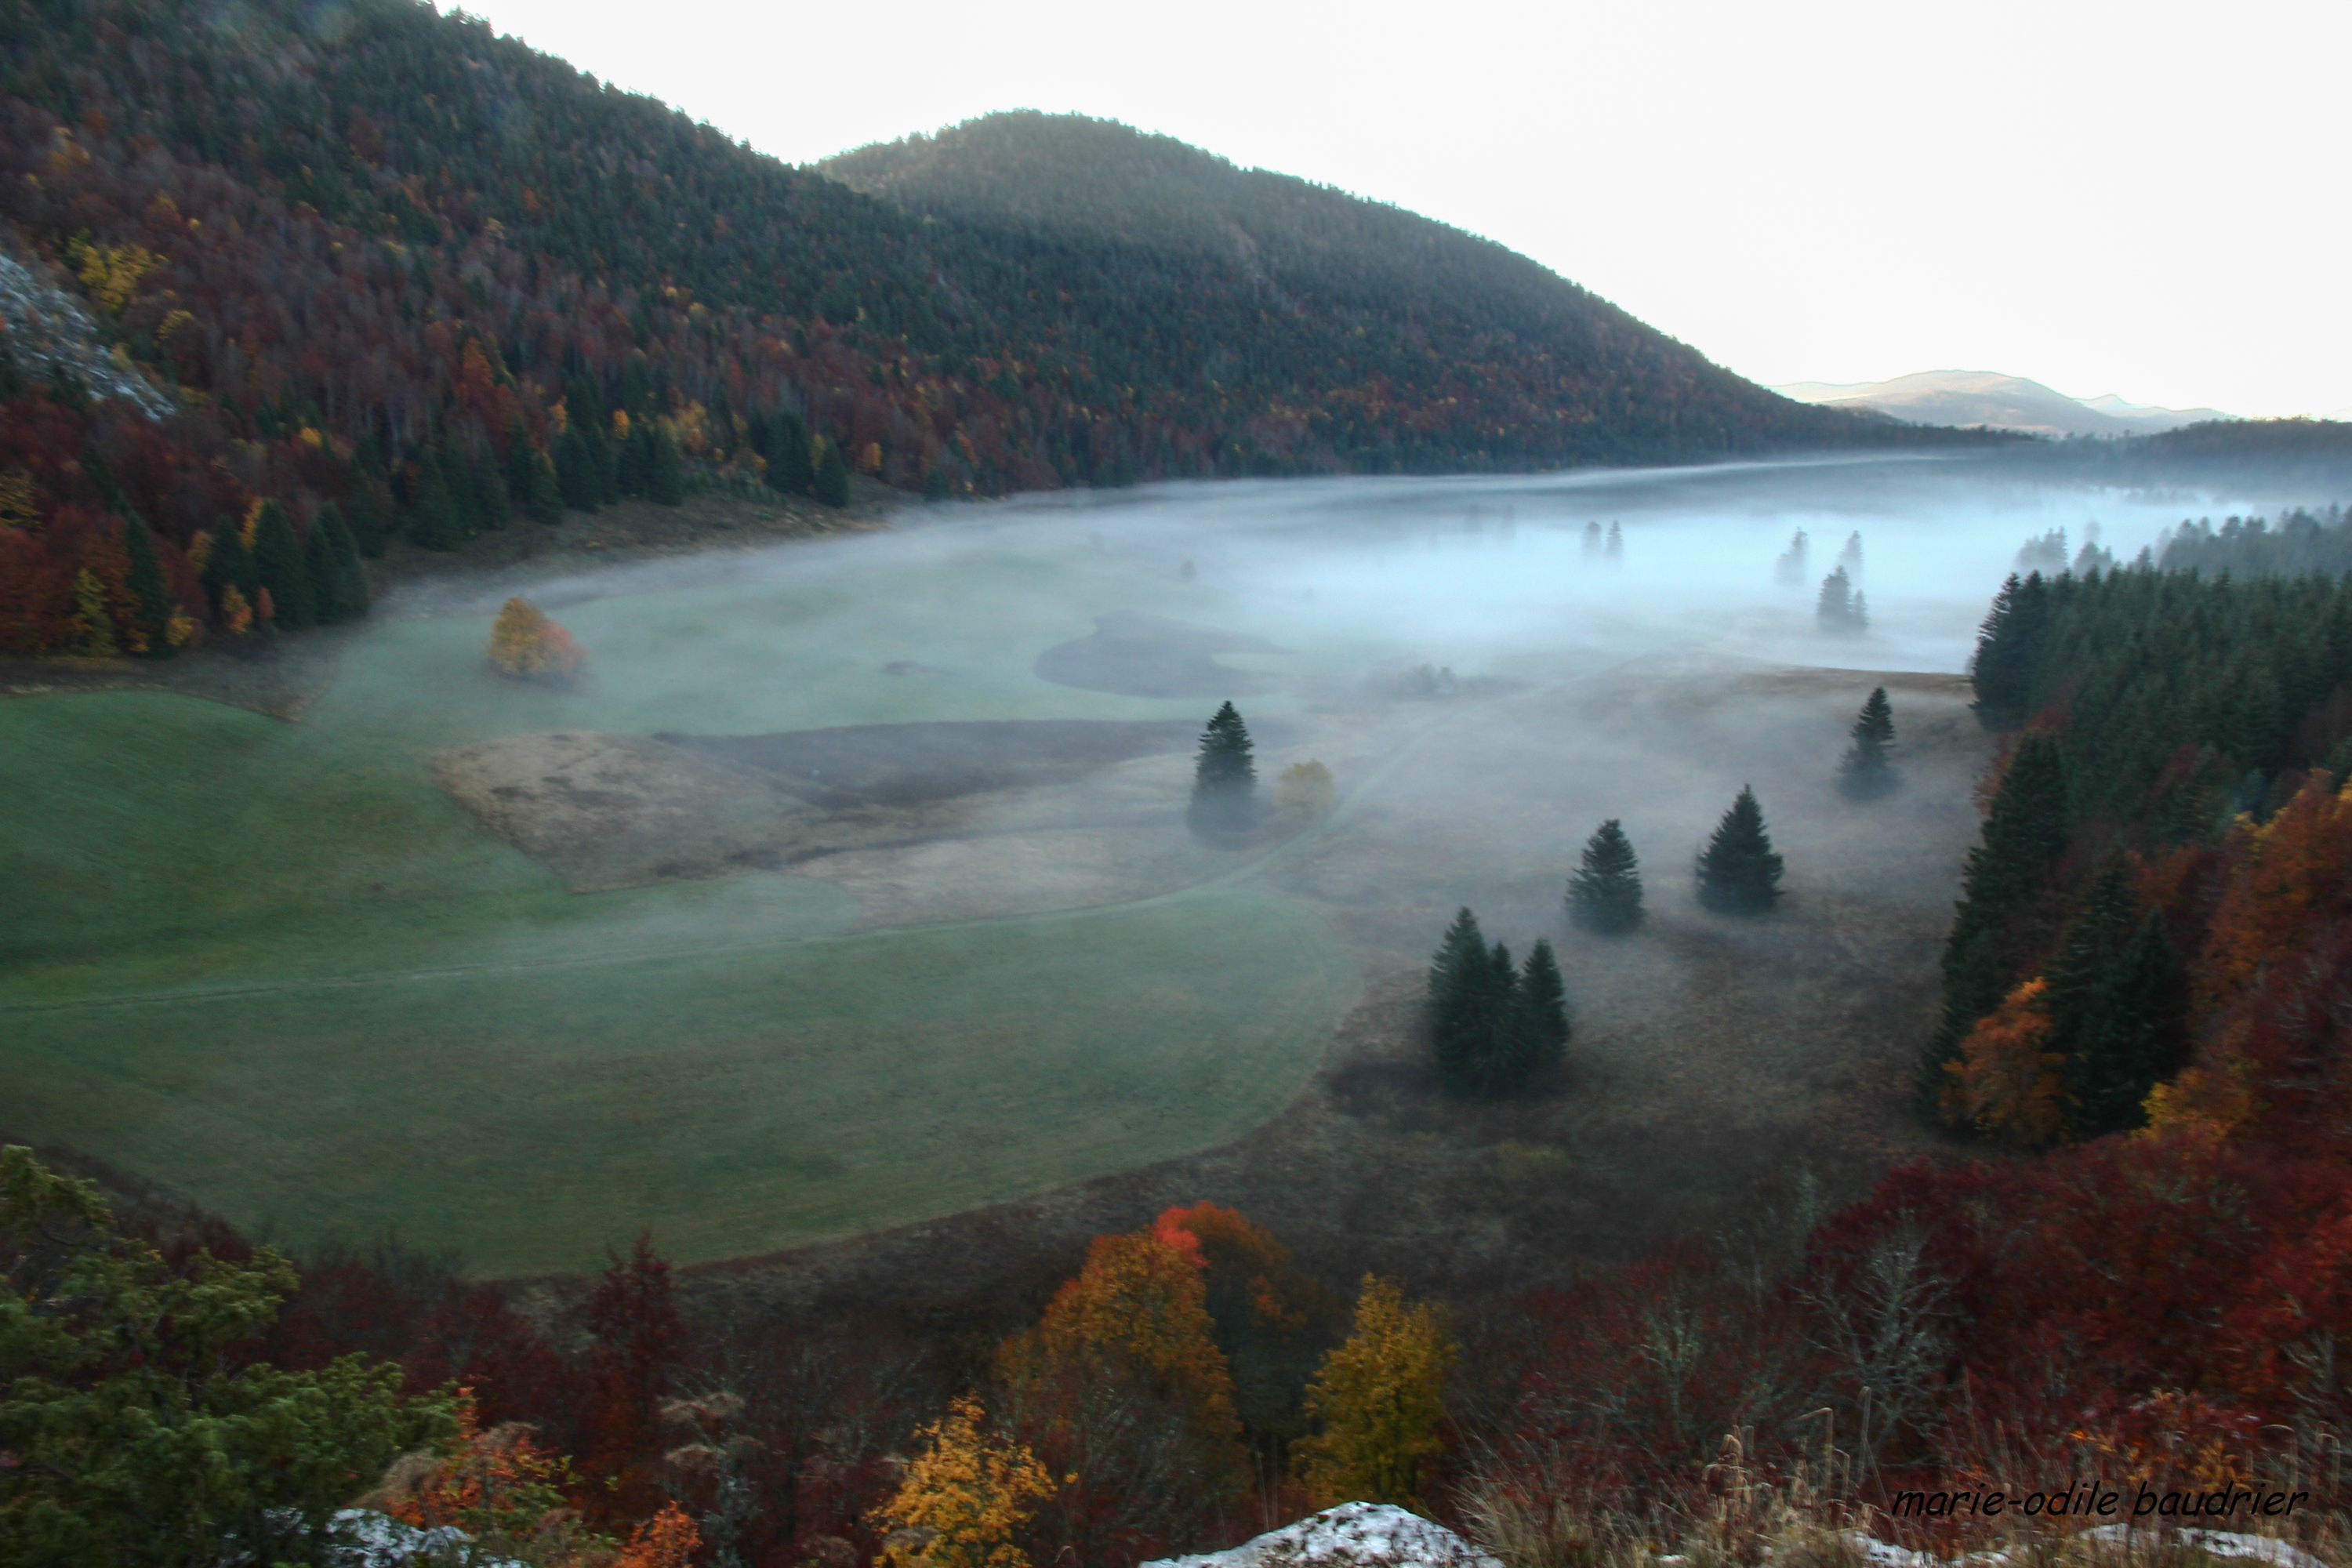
x,y
1323,321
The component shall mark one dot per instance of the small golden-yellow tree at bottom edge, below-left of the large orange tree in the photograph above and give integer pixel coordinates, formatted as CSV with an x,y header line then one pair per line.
x,y
965,1499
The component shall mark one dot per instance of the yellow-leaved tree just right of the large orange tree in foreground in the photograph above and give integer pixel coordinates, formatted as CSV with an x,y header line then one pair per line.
x,y
1379,1400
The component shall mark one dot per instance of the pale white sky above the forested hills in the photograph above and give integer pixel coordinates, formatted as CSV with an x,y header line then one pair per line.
x,y
2111,199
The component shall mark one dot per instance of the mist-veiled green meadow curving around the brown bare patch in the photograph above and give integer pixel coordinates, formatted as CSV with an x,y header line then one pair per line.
x,y
274,967
